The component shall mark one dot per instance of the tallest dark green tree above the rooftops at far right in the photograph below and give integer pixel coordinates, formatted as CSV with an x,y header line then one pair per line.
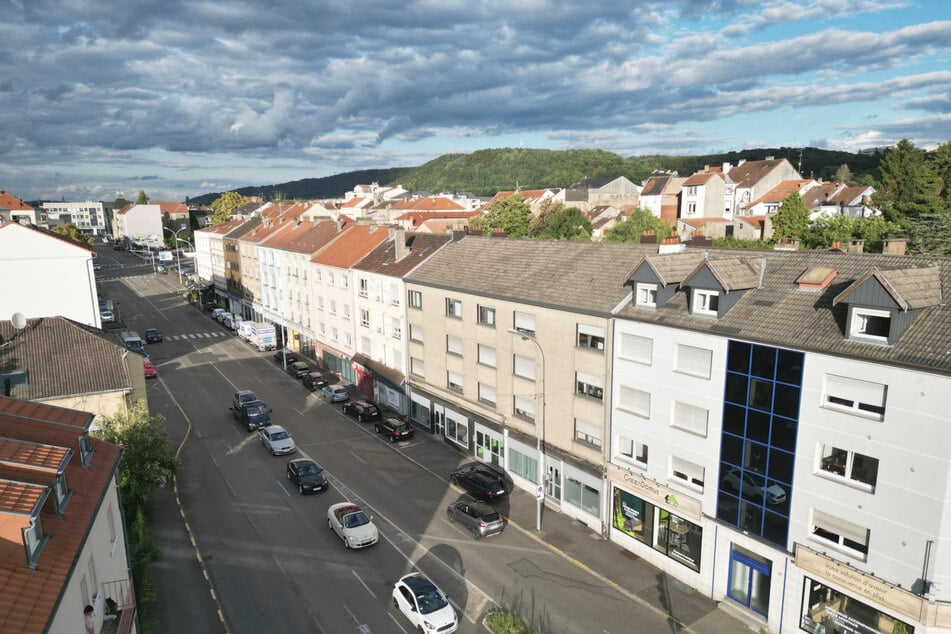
x,y
908,186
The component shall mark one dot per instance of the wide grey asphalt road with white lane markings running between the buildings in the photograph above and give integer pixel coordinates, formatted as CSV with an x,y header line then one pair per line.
x,y
273,562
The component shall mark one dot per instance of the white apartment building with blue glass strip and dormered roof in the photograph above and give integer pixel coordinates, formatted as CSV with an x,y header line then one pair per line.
x,y
779,437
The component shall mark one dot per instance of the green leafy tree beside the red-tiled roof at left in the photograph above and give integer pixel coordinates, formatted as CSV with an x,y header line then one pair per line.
x,y
147,462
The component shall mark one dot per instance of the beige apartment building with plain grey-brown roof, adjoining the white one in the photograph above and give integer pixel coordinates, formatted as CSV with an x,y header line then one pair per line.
x,y
508,358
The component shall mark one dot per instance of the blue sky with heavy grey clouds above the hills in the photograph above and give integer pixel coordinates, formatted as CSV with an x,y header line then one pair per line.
x,y
184,97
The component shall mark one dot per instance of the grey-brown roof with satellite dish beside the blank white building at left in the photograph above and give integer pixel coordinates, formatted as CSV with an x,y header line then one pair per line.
x,y
63,358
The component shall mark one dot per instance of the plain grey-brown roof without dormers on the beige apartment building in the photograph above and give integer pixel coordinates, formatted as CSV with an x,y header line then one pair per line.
x,y
578,276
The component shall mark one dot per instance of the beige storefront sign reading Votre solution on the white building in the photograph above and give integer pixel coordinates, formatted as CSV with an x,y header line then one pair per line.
x,y
859,583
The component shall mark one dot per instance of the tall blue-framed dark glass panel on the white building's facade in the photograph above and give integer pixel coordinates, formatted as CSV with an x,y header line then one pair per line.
x,y
757,447
